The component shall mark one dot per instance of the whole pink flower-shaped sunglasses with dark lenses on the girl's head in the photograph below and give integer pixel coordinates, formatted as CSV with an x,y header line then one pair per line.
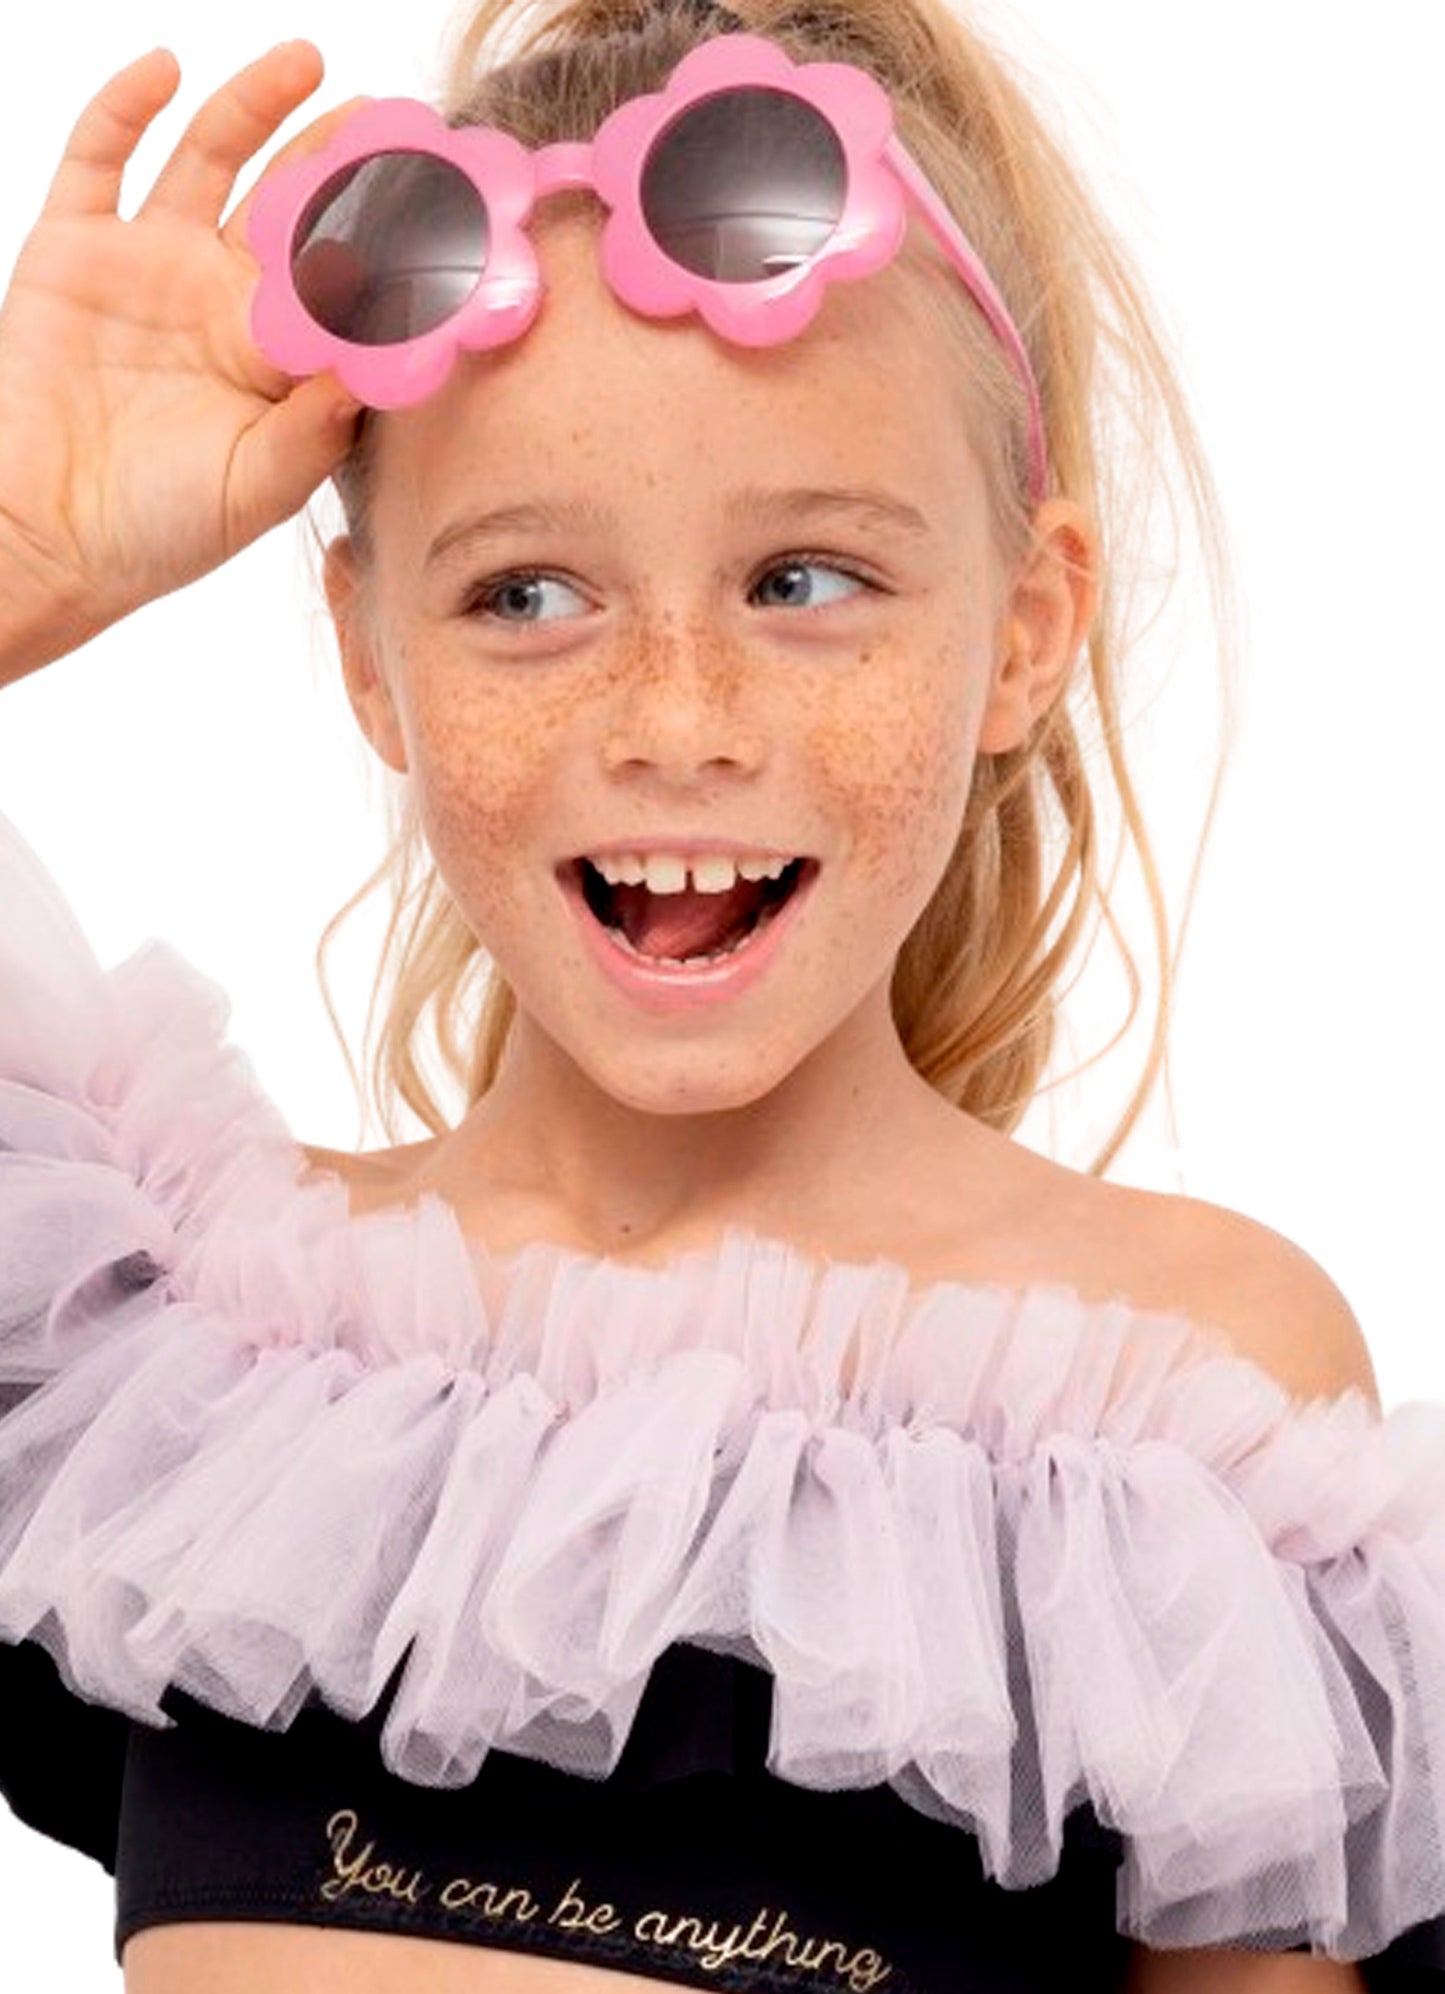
x,y
736,192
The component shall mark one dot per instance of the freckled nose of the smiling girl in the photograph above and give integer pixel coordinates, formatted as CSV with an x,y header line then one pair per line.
x,y
685,707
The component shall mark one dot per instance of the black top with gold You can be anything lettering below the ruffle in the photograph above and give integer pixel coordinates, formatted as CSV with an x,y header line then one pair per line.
x,y
687,1863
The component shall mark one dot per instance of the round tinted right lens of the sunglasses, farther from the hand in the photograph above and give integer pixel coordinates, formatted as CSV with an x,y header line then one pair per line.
x,y
744,186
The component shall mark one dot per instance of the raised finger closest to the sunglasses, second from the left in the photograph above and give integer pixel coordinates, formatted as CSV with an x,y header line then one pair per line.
x,y
234,125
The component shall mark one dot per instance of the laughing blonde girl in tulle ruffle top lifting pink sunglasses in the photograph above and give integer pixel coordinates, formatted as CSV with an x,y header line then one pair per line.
x,y
721,1512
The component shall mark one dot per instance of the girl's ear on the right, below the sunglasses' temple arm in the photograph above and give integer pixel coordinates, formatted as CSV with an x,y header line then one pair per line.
x,y
1047,617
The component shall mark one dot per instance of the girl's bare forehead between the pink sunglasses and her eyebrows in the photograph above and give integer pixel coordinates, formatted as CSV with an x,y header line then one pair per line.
x,y
593,392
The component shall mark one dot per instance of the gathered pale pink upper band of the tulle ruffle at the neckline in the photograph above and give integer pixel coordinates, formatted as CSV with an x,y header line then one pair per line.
x,y
838,1337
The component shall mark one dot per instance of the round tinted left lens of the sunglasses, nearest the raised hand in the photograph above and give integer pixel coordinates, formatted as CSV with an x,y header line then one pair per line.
x,y
390,248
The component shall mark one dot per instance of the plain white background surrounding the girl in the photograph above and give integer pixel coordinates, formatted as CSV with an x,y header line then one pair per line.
x,y
1279,172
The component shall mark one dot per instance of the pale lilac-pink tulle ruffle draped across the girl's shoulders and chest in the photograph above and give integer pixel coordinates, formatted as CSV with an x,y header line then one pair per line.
x,y
1004,1550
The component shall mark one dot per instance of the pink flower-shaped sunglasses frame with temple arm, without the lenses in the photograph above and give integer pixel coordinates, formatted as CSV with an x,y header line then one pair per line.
x,y
882,180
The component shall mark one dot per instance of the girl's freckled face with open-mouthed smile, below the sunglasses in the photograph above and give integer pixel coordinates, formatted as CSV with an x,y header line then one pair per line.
x,y
691,659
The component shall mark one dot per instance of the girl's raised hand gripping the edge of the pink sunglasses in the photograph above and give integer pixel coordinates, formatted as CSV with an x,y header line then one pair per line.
x,y
143,436
